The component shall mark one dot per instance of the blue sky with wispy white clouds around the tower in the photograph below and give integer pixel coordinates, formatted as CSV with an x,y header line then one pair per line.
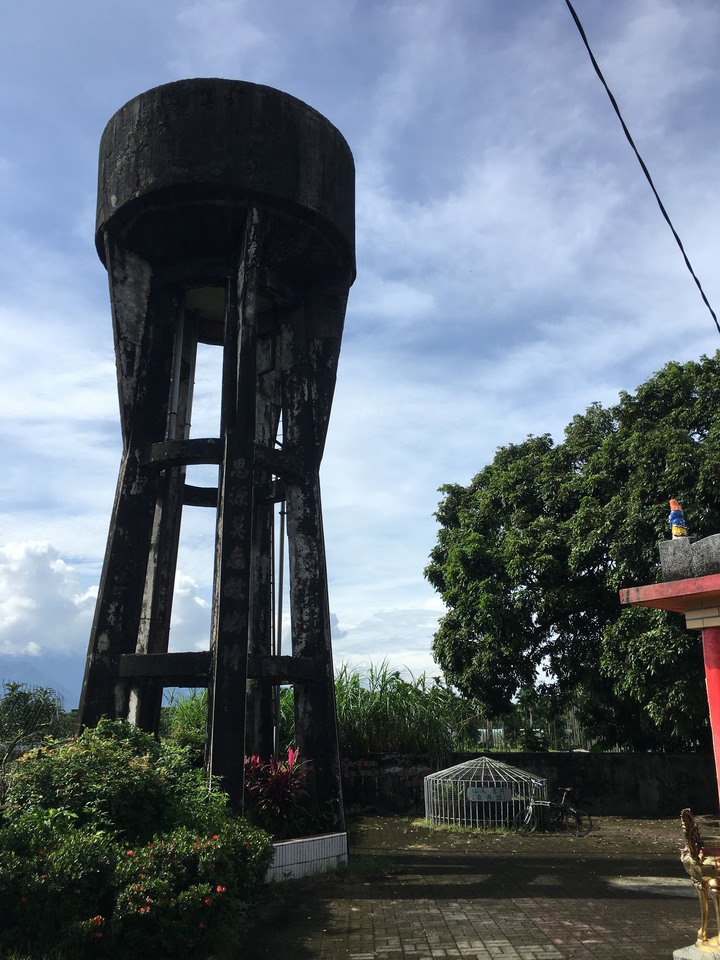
x,y
512,268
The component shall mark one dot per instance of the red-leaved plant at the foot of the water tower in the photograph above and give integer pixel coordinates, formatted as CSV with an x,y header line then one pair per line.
x,y
275,792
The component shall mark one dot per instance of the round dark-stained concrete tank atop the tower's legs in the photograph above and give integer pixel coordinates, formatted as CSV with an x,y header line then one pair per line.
x,y
179,164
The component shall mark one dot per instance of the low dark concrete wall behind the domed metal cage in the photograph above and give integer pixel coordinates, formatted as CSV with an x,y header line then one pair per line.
x,y
613,784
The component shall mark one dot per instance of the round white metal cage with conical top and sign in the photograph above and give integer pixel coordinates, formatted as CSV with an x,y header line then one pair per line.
x,y
480,793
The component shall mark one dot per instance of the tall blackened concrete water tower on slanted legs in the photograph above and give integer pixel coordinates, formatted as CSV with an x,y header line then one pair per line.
x,y
226,217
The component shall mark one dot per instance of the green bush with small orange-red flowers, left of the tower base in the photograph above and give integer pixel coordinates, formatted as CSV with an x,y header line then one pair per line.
x,y
111,845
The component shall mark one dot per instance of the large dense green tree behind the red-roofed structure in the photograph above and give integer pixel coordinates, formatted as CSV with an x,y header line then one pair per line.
x,y
532,553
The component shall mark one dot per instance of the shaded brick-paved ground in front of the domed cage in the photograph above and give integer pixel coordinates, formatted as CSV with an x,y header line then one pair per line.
x,y
620,893
